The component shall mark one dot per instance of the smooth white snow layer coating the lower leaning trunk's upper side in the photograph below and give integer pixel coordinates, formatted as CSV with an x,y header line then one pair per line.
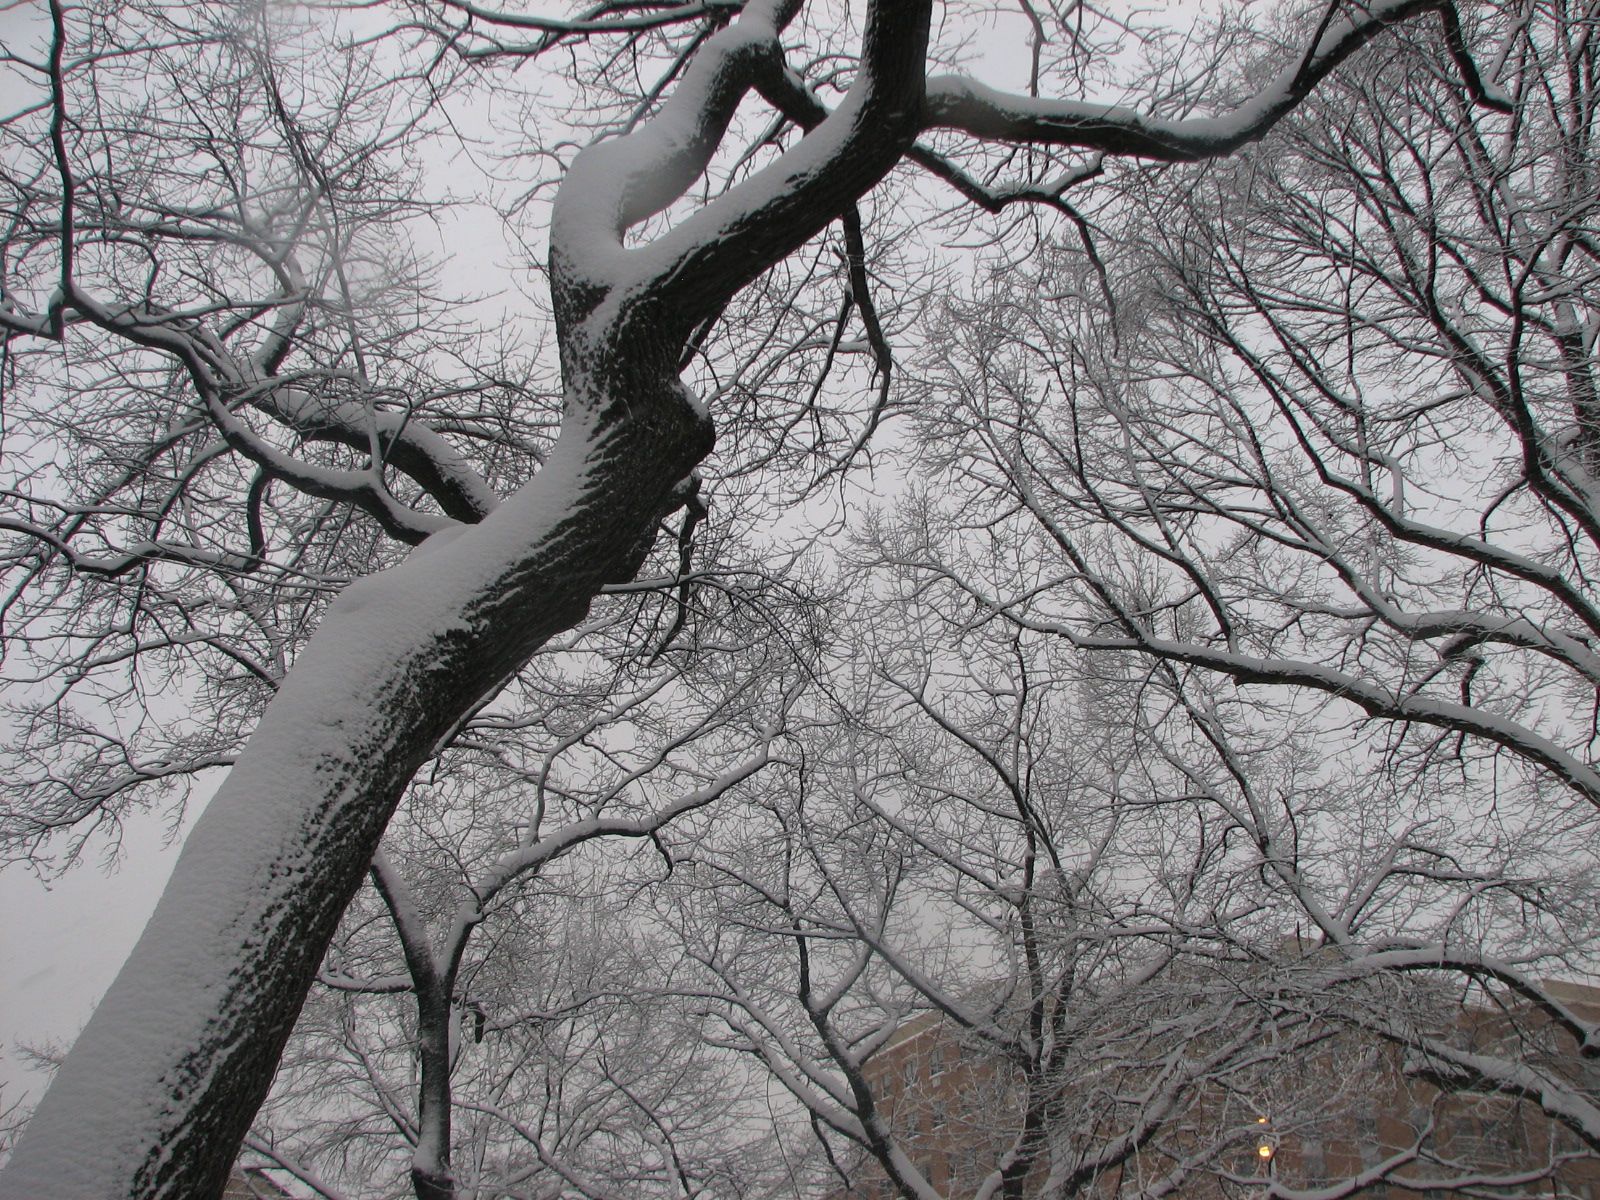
x,y
249,850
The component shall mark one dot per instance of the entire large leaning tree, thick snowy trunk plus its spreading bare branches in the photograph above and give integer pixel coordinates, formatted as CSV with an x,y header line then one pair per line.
x,y
206,308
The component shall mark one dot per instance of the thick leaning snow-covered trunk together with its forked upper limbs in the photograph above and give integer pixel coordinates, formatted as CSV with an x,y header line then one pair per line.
x,y
162,1086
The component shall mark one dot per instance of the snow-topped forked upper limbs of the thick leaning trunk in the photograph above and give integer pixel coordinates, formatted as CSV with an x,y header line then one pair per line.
x,y
694,268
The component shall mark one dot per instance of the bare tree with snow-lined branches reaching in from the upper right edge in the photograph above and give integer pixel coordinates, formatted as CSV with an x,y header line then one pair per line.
x,y
1326,454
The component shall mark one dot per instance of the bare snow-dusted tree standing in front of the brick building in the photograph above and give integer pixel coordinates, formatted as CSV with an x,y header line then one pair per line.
x,y
1038,924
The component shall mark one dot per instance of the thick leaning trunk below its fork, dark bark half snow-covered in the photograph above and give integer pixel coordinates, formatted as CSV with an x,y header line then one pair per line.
x,y
169,1074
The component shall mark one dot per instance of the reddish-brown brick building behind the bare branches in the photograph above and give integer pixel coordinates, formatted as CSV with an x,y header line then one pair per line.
x,y
1356,1118
